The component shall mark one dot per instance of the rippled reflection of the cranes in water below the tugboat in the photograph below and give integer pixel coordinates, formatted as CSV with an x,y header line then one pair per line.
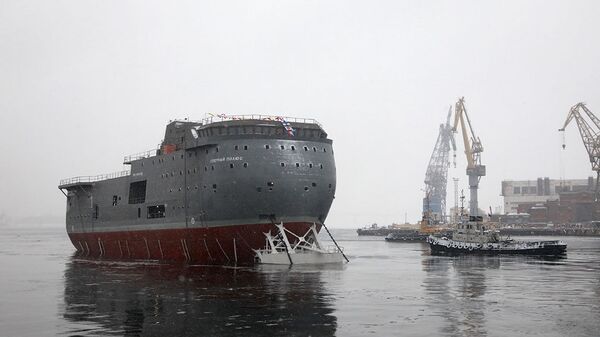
x,y
456,287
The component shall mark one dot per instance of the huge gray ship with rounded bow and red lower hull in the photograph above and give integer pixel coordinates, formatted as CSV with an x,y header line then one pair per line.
x,y
208,193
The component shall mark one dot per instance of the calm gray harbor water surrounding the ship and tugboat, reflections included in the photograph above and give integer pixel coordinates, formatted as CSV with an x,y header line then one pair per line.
x,y
387,289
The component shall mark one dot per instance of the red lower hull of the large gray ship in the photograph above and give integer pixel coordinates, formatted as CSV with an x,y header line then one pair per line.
x,y
230,245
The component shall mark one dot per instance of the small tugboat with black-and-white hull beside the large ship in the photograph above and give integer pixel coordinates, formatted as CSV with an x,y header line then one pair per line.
x,y
473,237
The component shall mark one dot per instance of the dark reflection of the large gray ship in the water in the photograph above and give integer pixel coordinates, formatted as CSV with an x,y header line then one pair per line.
x,y
161,300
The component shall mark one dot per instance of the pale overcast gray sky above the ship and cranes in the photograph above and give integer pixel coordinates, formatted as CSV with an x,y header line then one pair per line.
x,y
83,83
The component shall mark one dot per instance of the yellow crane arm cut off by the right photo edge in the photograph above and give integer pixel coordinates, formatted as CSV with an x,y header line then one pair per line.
x,y
589,134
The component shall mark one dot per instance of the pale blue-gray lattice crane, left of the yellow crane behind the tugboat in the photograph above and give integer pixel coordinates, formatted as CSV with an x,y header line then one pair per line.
x,y
436,177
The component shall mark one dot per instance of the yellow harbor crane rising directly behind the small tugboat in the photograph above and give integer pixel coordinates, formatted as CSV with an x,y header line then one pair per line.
x,y
473,150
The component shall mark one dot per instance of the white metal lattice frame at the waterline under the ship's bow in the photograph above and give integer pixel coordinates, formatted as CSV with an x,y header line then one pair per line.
x,y
305,249
